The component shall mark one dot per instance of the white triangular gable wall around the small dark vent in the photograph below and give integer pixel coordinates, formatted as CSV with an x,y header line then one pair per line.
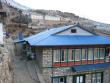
x,y
79,31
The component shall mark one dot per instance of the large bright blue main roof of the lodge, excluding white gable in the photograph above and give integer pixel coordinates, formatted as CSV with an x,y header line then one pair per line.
x,y
48,38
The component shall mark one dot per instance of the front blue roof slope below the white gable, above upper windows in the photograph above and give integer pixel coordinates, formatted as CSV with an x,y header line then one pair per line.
x,y
71,40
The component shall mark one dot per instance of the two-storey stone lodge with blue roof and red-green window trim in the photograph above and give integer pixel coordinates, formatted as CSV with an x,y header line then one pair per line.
x,y
71,54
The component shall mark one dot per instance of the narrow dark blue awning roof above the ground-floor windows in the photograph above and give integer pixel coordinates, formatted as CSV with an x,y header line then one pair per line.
x,y
90,67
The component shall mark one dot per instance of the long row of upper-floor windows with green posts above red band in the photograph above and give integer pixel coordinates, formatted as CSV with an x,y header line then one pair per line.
x,y
91,54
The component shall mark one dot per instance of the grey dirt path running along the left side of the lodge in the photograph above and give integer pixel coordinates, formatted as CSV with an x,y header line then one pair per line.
x,y
24,72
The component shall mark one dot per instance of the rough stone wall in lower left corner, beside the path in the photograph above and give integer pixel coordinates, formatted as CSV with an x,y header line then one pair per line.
x,y
6,72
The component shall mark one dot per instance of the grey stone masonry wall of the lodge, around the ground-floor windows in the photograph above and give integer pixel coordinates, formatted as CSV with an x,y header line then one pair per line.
x,y
49,72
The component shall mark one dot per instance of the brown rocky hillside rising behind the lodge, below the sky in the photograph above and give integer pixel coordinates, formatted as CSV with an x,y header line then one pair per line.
x,y
22,21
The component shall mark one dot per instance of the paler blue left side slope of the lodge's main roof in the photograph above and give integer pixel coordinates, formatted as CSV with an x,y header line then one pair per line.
x,y
44,34
